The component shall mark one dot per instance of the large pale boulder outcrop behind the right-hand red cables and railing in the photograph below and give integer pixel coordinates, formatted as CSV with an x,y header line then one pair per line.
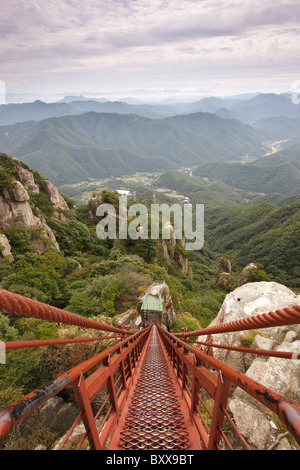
x,y
280,375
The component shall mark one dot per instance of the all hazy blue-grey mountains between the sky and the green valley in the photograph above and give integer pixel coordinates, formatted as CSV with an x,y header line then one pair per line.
x,y
78,138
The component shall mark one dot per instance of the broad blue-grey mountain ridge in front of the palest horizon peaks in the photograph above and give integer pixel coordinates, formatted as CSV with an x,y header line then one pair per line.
x,y
71,148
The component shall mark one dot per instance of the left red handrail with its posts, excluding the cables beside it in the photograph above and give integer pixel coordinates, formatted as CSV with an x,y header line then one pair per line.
x,y
113,360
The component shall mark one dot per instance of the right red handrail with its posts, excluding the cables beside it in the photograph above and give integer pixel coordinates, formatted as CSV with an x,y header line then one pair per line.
x,y
188,360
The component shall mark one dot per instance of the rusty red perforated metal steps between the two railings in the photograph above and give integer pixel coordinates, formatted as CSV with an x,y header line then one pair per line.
x,y
155,419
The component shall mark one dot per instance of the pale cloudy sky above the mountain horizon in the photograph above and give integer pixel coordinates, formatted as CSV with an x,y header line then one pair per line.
x,y
215,47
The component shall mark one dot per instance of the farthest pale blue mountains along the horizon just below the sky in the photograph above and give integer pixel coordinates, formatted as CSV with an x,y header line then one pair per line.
x,y
249,109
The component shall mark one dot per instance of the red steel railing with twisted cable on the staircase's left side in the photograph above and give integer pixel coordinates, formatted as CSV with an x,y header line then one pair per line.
x,y
112,379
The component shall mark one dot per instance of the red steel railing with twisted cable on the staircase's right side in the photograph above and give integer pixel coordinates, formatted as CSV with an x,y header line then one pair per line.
x,y
193,369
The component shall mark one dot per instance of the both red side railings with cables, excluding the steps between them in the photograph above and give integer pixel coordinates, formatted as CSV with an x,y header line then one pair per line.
x,y
111,373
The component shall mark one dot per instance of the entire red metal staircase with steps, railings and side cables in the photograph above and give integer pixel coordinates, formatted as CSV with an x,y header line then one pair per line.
x,y
153,384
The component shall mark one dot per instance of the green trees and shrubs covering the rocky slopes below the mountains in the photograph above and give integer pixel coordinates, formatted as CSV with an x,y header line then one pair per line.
x,y
104,278
